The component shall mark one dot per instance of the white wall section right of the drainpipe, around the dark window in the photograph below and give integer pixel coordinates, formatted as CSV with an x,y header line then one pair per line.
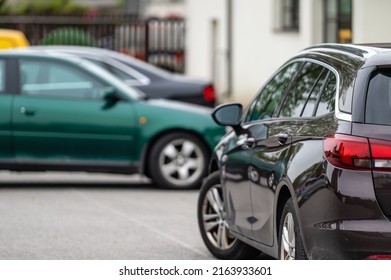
x,y
259,48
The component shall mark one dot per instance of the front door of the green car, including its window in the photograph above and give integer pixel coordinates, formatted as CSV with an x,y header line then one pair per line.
x,y
61,117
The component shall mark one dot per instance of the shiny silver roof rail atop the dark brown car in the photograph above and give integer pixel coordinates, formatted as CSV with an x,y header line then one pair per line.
x,y
358,50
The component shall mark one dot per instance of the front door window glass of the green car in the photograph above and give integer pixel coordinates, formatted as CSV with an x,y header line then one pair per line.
x,y
50,78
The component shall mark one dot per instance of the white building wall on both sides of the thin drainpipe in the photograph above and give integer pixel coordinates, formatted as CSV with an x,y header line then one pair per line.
x,y
258,48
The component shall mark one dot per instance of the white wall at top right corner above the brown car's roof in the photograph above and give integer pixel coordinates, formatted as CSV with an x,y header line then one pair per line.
x,y
371,21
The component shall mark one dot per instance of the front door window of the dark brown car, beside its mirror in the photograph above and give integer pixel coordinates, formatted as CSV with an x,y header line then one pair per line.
x,y
264,105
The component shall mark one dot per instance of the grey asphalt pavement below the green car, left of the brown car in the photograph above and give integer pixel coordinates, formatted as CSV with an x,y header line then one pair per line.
x,y
67,216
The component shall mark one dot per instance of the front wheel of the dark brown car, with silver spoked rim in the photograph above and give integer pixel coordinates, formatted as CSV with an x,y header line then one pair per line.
x,y
213,226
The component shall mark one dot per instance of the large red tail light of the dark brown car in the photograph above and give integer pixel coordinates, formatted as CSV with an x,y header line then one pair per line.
x,y
352,152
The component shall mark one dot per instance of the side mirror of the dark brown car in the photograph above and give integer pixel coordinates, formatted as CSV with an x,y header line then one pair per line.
x,y
228,115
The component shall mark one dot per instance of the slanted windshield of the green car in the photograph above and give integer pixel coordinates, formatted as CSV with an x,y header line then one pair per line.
x,y
131,92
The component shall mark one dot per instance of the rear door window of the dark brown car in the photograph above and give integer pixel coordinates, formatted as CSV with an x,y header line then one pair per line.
x,y
304,91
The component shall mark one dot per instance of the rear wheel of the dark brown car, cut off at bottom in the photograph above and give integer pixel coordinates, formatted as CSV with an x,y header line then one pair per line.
x,y
290,242
